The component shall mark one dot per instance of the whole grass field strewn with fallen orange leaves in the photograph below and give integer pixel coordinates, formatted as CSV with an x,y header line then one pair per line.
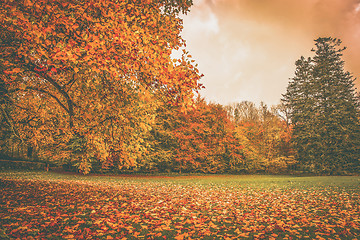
x,y
52,205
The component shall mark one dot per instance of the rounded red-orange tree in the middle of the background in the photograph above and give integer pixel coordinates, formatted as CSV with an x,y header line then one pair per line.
x,y
206,140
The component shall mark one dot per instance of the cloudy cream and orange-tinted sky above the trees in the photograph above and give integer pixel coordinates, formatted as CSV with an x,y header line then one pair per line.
x,y
247,48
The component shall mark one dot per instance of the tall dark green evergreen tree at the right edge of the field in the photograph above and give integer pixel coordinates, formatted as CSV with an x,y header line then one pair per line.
x,y
324,111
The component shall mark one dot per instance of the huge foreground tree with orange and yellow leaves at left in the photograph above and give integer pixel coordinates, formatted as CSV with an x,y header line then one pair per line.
x,y
83,77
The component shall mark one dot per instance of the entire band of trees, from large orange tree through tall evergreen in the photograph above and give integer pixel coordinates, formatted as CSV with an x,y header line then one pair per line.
x,y
92,85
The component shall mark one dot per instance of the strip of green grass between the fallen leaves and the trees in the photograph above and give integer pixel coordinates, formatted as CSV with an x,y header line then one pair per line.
x,y
350,183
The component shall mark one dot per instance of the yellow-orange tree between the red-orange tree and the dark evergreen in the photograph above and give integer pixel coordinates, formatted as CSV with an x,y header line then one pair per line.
x,y
265,137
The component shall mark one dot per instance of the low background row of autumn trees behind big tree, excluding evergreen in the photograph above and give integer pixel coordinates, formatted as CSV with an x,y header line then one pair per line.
x,y
208,138
